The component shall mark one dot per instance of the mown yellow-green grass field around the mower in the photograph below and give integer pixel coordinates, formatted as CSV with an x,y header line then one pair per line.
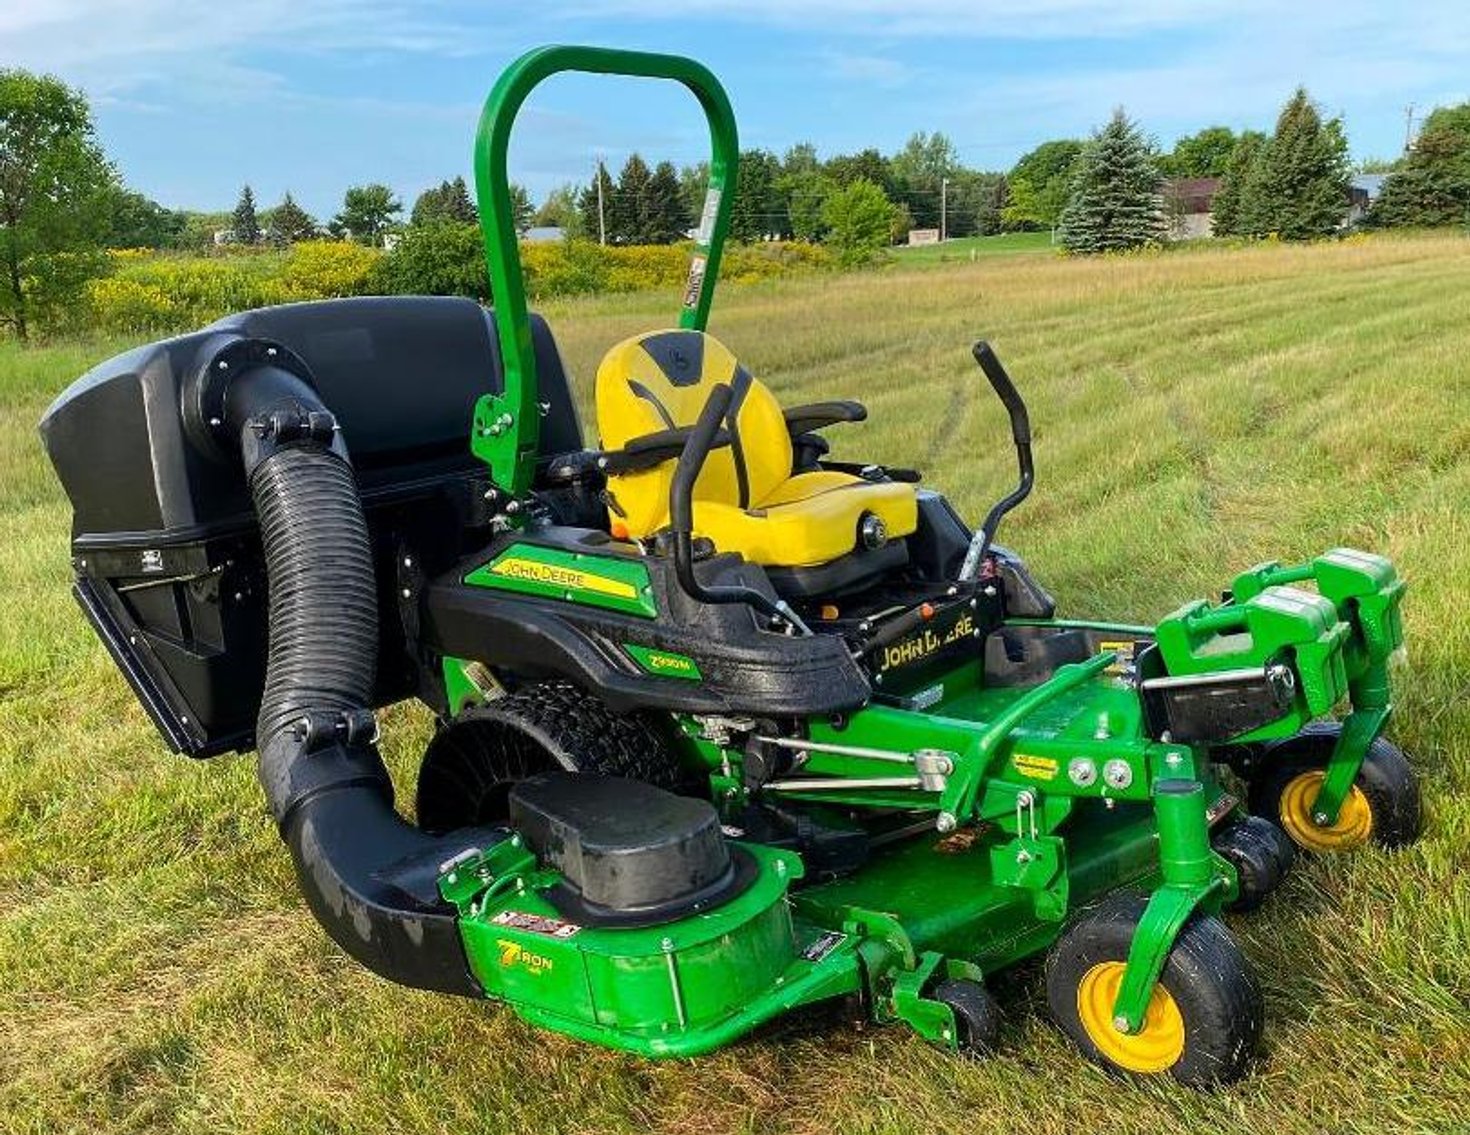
x,y
1194,414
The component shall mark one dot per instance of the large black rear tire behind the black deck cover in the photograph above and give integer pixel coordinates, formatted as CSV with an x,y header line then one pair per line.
x,y
474,761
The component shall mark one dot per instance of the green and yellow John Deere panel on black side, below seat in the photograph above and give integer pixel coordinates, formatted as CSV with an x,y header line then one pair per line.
x,y
598,581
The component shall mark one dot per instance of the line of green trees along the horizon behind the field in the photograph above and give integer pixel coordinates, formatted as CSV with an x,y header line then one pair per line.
x,y
62,204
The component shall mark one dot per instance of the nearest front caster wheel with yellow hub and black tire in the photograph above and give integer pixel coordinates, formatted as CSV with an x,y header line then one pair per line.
x,y
1203,1021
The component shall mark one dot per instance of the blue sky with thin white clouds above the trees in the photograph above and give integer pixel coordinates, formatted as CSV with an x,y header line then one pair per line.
x,y
195,99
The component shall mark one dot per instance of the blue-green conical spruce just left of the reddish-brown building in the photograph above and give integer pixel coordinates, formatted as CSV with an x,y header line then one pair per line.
x,y
1115,199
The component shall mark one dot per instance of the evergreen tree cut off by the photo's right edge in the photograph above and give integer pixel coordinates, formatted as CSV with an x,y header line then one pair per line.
x,y
1433,185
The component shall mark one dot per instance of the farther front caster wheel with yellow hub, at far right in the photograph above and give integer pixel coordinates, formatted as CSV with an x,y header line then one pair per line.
x,y
1384,806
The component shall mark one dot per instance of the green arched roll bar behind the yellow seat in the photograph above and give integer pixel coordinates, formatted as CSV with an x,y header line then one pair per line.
x,y
508,427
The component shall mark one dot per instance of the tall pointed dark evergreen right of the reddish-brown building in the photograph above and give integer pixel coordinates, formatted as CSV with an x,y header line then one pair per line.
x,y
1299,189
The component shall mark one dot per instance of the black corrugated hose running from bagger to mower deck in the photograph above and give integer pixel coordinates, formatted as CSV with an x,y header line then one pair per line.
x,y
368,876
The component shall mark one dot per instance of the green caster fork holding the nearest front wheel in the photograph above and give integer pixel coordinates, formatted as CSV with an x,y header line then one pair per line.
x,y
1191,874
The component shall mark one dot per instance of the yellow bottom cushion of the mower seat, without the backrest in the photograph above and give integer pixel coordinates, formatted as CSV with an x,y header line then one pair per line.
x,y
803,531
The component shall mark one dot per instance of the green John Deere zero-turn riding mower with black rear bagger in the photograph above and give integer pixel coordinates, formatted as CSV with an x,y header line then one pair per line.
x,y
727,727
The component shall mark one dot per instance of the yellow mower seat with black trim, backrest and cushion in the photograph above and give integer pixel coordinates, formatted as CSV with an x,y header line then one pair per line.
x,y
747,499
